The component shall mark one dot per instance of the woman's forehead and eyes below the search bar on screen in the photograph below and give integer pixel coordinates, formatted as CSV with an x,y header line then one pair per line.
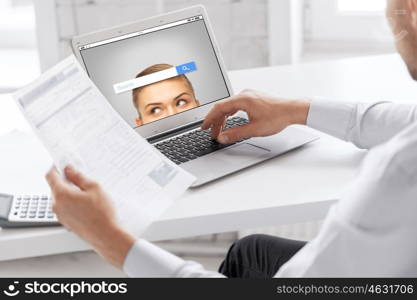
x,y
163,98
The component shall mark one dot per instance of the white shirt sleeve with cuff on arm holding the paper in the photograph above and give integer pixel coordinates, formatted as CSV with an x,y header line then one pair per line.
x,y
148,260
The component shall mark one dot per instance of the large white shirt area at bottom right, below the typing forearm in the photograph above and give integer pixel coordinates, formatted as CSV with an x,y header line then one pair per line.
x,y
371,231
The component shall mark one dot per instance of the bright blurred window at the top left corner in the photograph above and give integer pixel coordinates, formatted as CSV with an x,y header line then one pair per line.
x,y
18,53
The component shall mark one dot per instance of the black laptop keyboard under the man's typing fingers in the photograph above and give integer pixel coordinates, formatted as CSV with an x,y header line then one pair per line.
x,y
194,144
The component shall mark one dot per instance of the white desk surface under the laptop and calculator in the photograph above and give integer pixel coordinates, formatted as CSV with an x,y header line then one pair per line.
x,y
296,187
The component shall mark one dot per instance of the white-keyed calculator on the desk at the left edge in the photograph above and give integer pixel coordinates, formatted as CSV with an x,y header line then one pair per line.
x,y
26,211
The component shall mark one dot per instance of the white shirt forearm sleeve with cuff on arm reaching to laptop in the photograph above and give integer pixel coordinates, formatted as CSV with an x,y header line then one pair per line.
x,y
365,125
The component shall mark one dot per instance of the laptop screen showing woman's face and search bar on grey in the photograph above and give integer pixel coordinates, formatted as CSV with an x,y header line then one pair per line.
x,y
158,72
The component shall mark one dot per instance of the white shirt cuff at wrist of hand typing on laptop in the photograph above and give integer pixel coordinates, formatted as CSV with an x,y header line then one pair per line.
x,y
334,118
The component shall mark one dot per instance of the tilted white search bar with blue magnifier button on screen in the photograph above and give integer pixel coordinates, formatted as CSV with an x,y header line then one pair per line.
x,y
154,77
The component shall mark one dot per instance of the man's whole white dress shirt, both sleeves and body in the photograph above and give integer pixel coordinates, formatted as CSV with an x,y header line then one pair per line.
x,y
371,231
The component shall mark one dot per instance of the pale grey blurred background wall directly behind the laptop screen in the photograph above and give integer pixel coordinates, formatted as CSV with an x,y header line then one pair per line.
x,y
240,25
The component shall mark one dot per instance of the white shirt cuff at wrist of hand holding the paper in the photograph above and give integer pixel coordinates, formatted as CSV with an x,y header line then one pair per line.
x,y
147,260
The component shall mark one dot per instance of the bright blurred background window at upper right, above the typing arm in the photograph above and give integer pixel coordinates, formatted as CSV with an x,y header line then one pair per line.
x,y
346,28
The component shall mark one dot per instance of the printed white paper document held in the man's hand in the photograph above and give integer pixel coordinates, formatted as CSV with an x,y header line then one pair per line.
x,y
79,127
